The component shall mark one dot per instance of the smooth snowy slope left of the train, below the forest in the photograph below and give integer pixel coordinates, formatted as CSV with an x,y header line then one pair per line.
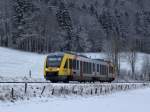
x,y
15,63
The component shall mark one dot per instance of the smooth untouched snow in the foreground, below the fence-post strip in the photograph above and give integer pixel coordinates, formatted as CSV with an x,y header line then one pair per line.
x,y
131,101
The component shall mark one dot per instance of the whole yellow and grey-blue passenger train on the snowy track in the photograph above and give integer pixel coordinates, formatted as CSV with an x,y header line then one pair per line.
x,y
67,67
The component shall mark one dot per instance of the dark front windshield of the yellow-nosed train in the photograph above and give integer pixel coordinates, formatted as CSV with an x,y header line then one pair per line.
x,y
54,61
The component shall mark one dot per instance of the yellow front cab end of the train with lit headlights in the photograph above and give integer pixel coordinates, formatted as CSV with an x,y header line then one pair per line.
x,y
54,69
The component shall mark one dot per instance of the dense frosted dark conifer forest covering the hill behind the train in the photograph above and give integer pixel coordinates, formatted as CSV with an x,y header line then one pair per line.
x,y
45,26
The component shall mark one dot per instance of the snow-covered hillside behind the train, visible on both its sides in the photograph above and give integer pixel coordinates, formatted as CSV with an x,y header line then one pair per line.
x,y
14,63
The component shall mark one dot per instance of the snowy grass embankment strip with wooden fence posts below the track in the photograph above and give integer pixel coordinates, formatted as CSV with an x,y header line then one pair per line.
x,y
27,90
